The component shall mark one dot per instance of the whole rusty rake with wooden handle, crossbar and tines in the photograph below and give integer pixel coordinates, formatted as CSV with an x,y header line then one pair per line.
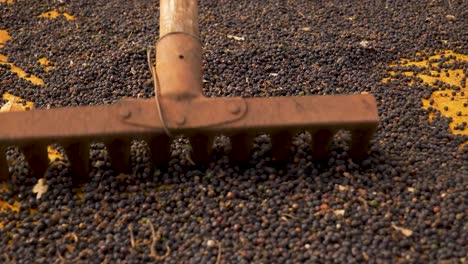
x,y
179,108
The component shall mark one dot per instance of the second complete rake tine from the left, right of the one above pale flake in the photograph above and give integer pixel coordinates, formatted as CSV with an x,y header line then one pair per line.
x,y
78,156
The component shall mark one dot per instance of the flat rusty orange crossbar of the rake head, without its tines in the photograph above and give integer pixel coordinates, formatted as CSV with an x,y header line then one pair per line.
x,y
138,118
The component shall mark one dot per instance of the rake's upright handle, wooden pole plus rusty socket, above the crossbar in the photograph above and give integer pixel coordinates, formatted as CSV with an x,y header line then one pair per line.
x,y
179,51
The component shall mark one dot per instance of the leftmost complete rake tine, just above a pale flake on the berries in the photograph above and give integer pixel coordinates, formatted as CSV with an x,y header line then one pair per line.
x,y
37,157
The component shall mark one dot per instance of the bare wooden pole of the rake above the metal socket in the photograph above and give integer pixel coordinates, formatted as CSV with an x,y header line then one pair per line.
x,y
178,16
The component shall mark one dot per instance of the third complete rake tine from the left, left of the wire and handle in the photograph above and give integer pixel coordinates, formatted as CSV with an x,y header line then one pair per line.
x,y
119,153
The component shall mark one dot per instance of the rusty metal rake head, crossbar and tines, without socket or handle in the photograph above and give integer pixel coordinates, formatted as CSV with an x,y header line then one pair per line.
x,y
200,119
